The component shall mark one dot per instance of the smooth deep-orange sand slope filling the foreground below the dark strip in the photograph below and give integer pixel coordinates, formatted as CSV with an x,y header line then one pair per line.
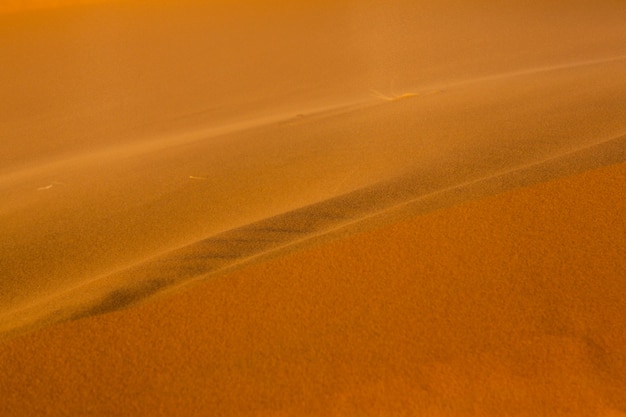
x,y
510,305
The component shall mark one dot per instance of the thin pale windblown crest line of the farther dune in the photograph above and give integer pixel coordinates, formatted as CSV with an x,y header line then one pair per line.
x,y
169,134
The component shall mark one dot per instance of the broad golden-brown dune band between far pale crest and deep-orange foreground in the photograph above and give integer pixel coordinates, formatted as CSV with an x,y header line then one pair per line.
x,y
323,169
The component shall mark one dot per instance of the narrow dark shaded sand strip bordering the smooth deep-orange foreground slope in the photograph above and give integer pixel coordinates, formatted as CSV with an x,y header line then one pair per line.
x,y
404,196
